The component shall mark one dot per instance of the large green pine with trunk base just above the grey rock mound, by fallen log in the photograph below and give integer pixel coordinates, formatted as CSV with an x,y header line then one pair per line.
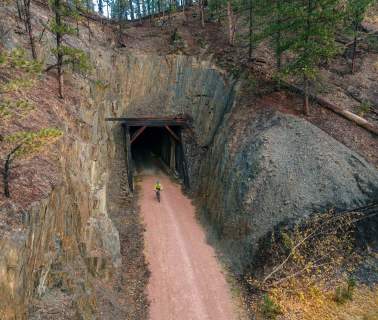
x,y
310,37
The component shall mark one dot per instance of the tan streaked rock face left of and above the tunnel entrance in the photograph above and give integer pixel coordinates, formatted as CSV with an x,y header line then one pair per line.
x,y
69,239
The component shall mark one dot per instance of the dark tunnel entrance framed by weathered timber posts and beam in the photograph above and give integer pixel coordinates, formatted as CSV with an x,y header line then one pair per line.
x,y
160,136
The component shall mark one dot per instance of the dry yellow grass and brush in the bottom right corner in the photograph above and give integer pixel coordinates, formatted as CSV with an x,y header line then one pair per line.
x,y
294,287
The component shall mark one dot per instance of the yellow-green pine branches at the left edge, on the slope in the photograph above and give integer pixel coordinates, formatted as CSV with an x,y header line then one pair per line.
x,y
18,74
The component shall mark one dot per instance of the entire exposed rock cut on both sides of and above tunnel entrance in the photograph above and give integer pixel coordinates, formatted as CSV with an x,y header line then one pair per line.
x,y
280,168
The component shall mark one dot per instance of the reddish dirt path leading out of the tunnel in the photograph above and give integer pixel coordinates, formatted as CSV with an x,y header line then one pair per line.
x,y
186,280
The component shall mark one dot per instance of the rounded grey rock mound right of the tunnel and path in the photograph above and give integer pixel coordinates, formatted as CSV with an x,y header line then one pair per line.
x,y
283,168
